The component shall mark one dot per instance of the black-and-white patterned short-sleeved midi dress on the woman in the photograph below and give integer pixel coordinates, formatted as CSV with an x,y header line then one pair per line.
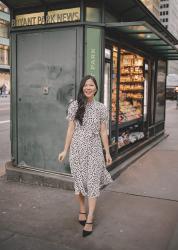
x,y
86,157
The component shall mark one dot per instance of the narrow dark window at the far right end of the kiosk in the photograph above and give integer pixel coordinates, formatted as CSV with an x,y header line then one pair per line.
x,y
160,91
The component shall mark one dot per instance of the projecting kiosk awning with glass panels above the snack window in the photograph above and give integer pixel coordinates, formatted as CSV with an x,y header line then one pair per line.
x,y
145,35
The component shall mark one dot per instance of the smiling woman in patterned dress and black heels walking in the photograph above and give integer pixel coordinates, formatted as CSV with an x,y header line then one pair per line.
x,y
86,128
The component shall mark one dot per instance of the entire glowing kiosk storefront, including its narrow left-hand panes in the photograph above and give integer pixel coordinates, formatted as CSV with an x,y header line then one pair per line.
x,y
129,98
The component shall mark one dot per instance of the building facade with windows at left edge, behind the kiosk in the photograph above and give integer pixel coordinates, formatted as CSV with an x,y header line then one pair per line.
x,y
4,48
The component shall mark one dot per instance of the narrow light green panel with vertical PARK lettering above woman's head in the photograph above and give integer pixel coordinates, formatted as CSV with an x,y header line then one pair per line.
x,y
93,46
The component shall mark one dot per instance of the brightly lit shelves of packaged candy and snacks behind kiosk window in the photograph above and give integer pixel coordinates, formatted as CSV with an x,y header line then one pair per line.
x,y
131,87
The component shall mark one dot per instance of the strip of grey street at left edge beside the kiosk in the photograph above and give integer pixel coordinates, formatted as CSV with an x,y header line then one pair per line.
x,y
4,132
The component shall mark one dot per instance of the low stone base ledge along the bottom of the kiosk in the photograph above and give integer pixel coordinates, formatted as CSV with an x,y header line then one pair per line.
x,y
40,177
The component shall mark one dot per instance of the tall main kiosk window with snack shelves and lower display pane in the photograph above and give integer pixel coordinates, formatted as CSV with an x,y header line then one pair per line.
x,y
131,98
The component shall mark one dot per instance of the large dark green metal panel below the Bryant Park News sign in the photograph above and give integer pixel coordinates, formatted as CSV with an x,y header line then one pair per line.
x,y
46,78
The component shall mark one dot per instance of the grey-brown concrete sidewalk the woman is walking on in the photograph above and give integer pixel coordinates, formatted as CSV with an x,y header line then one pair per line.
x,y
138,211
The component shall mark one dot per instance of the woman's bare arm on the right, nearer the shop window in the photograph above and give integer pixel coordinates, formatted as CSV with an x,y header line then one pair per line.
x,y
104,138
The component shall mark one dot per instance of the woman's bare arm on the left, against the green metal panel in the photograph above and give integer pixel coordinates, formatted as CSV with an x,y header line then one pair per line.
x,y
70,131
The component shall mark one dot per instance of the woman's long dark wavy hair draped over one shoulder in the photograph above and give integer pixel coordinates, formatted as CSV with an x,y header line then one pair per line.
x,y
82,99
